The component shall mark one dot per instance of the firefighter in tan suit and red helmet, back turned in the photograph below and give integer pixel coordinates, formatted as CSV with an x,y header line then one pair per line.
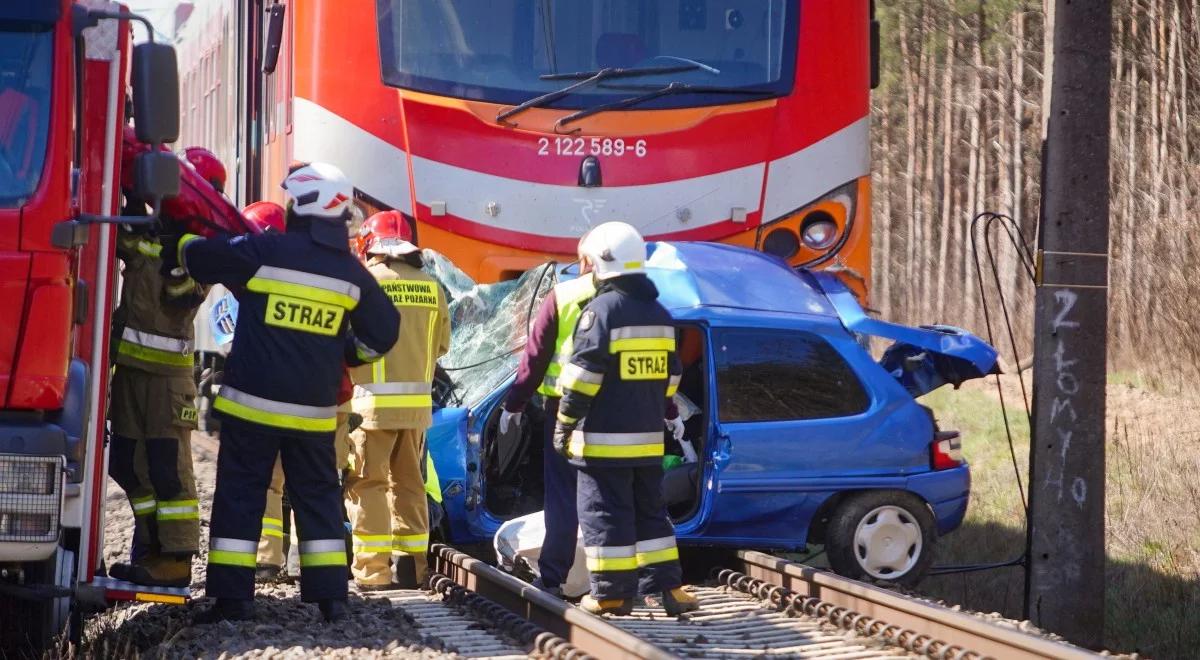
x,y
386,495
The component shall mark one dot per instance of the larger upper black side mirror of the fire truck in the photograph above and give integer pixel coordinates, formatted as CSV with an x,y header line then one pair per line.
x,y
157,94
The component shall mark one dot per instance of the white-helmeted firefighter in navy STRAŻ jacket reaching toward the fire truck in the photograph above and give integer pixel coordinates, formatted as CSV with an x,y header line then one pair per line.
x,y
308,305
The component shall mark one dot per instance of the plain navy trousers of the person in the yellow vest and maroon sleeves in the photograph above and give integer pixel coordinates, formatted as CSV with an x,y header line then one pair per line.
x,y
559,507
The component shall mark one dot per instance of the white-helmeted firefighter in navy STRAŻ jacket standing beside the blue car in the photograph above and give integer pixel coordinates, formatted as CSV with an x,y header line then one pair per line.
x,y
622,371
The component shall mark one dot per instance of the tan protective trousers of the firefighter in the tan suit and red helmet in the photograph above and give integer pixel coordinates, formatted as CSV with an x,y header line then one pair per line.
x,y
386,501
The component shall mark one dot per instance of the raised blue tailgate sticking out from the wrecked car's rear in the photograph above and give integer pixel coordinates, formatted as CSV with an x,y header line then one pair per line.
x,y
923,358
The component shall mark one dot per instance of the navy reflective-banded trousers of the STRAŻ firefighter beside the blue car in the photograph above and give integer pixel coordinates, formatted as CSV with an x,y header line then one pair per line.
x,y
628,537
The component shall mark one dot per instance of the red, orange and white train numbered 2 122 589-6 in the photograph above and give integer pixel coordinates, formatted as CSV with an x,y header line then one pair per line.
x,y
505,130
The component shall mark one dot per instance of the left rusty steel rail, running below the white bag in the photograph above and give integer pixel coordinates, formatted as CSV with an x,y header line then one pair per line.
x,y
589,634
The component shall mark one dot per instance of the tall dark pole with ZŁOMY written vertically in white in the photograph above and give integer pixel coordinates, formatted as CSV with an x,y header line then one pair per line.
x,y
1065,590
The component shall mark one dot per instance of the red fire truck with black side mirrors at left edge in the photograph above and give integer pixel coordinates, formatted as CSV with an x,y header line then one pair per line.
x,y
67,69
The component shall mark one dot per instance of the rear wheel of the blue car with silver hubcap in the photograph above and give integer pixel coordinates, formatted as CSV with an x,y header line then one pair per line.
x,y
883,537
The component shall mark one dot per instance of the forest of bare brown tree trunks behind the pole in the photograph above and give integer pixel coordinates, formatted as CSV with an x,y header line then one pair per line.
x,y
958,131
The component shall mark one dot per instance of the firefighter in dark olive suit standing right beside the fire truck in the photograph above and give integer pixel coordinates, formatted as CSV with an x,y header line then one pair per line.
x,y
153,413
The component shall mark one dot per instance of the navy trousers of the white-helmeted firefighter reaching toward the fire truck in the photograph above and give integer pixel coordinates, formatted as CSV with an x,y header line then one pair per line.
x,y
244,472
